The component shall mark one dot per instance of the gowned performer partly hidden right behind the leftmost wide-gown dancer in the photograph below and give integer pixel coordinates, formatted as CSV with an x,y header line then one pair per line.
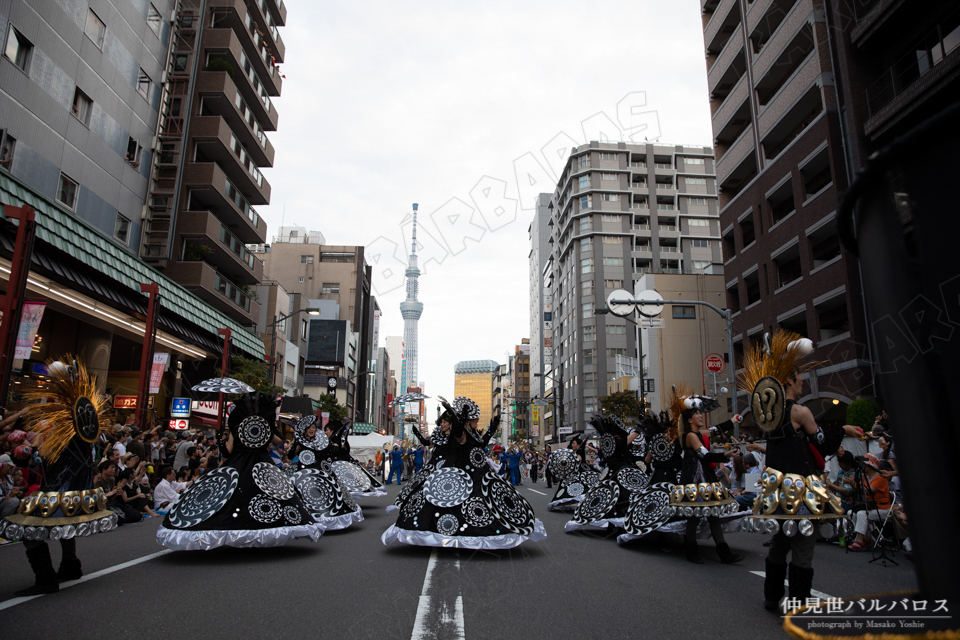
x,y
321,491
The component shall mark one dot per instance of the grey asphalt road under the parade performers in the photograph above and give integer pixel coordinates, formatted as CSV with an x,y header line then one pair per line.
x,y
348,585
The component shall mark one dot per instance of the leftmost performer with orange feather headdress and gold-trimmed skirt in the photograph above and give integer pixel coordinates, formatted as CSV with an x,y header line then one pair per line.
x,y
69,415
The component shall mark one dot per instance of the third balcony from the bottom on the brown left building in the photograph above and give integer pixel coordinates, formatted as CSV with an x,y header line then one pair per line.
x,y
210,189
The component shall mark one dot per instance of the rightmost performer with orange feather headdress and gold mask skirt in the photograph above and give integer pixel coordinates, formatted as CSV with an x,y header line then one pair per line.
x,y
793,493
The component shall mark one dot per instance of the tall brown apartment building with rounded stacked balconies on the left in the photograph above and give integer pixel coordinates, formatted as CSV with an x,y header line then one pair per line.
x,y
215,107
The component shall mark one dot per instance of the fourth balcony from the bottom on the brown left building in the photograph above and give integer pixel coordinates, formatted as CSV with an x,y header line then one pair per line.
x,y
216,142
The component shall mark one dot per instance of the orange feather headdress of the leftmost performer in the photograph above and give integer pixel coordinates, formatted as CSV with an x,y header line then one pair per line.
x,y
50,411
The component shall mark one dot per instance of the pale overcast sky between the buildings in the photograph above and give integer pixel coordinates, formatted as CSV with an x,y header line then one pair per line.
x,y
466,108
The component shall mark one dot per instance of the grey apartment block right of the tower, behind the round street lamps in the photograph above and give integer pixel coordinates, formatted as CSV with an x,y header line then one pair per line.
x,y
619,211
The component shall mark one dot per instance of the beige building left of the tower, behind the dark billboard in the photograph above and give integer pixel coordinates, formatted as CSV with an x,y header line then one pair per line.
x,y
300,262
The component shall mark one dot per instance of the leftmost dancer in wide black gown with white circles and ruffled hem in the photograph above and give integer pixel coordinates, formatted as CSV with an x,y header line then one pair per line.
x,y
246,502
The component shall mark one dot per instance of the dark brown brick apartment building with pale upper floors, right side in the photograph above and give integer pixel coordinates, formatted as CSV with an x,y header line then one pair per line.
x,y
779,168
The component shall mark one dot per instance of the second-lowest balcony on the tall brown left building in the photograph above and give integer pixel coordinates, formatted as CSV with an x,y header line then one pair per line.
x,y
208,240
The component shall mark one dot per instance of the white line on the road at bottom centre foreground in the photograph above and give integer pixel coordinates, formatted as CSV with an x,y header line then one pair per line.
x,y
439,616
